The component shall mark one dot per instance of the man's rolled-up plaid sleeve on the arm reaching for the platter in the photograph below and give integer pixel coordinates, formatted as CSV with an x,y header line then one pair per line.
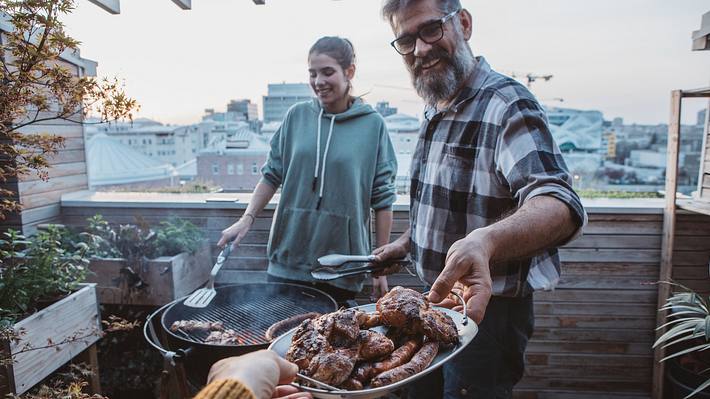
x,y
530,162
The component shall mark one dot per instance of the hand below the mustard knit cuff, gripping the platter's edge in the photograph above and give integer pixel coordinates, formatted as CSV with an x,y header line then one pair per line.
x,y
260,371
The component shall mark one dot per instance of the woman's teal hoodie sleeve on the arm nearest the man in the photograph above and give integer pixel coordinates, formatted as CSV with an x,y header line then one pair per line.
x,y
383,186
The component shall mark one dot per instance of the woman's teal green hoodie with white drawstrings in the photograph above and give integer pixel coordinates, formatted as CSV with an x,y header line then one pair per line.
x,y
327,210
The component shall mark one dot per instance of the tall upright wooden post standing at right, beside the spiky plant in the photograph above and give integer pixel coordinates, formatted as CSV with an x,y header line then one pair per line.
x,y
668,234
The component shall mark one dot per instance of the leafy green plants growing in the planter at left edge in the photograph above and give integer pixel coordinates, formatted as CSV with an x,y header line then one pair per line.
x,y
37,269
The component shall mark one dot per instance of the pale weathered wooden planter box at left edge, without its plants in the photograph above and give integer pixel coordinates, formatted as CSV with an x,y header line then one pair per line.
x,y
74,320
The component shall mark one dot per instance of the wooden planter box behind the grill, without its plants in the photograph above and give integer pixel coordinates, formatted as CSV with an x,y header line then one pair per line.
x,y
165,278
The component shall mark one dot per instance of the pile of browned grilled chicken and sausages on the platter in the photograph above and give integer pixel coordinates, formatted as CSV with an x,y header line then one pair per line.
x,y
339,349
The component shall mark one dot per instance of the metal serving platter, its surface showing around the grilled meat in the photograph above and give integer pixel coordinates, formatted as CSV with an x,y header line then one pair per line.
x,y
467,331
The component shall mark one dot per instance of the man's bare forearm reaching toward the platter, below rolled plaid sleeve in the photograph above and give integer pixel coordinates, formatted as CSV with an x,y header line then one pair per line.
x,y
541,222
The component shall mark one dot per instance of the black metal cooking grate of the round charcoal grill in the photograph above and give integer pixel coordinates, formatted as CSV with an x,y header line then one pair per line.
x,y
250,320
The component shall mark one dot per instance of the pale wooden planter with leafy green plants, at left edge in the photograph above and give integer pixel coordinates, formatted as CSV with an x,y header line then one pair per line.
x,y
47,316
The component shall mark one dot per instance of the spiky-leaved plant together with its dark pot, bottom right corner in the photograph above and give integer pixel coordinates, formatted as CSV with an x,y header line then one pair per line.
x,y
688,341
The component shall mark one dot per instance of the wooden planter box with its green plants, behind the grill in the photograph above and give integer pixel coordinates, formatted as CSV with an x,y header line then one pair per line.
x,y
136,265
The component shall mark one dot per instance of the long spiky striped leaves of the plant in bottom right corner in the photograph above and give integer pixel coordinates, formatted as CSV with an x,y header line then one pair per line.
x,y
688,333
